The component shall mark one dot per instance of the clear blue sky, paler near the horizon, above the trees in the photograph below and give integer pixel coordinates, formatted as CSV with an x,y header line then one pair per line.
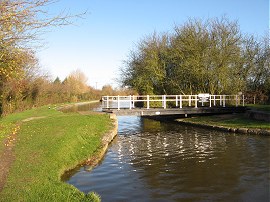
x,y
98,43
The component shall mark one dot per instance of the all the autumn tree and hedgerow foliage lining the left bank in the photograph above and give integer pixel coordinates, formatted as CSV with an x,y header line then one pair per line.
x,y
22,86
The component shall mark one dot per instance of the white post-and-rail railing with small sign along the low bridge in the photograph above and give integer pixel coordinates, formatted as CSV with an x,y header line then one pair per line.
x,y
172,101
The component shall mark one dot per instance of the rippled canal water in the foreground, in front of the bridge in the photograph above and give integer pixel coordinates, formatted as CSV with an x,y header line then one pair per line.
x,y
160,161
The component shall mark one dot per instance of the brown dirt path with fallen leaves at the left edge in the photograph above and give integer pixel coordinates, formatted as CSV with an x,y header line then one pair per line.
x,y
7,156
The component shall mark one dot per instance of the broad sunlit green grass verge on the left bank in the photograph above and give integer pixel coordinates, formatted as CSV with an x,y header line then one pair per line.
x,y
48,143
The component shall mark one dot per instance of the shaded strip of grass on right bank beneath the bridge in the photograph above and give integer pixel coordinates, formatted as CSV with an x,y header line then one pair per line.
x,y
232,121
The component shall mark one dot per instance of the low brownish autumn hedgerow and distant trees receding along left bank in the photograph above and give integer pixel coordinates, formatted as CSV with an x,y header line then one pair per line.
x,y
27,92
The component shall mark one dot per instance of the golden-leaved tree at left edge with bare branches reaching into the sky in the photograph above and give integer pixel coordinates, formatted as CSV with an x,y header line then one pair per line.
x,y
21,24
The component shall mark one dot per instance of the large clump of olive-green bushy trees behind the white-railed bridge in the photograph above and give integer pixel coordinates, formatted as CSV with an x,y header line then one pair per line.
x,y
210,56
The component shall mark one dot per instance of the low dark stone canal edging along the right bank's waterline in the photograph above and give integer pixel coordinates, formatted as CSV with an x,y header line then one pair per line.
x,y
253,131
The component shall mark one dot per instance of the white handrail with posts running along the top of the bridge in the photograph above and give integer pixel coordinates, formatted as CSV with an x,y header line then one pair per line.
x,y
213,100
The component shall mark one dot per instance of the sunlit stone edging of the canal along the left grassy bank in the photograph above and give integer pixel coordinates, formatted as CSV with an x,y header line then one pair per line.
x,y
106,140
